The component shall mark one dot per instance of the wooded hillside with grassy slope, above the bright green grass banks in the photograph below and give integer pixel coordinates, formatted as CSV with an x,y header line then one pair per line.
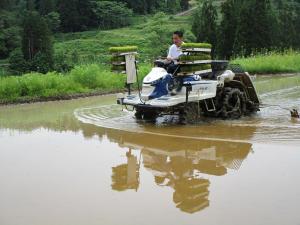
x,y
28,29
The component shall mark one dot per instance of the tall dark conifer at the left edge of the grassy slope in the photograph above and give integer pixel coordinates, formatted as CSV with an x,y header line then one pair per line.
x,y
37,43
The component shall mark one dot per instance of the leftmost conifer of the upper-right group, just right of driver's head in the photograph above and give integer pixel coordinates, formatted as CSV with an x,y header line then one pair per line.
x,y
205,25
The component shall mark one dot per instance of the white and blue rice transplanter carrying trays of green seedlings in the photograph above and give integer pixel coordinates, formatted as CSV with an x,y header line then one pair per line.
x,y
197,87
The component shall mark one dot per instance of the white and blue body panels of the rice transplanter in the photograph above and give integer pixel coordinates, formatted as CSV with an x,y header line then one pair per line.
x,y
201,89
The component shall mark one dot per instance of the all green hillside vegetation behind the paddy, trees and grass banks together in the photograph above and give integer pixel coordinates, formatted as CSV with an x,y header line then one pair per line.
x,y
47,54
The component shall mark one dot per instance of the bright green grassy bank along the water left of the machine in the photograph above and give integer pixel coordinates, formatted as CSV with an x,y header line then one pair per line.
x,y
86,79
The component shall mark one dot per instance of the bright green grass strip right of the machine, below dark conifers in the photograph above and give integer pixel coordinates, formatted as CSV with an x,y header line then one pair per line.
x,y
271,63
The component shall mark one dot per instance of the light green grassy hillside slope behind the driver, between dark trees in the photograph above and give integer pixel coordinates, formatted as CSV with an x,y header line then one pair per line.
x,y
93,46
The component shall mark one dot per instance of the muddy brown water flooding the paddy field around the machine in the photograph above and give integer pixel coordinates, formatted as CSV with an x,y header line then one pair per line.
x,y
86,162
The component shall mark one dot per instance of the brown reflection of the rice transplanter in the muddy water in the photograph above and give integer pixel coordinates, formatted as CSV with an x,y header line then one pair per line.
x,y
180,164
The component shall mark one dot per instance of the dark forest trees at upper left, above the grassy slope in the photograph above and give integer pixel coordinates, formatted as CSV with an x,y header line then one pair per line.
x,y
27,26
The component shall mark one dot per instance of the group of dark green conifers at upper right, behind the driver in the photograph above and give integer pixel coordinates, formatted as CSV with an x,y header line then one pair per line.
x,y
245,27
